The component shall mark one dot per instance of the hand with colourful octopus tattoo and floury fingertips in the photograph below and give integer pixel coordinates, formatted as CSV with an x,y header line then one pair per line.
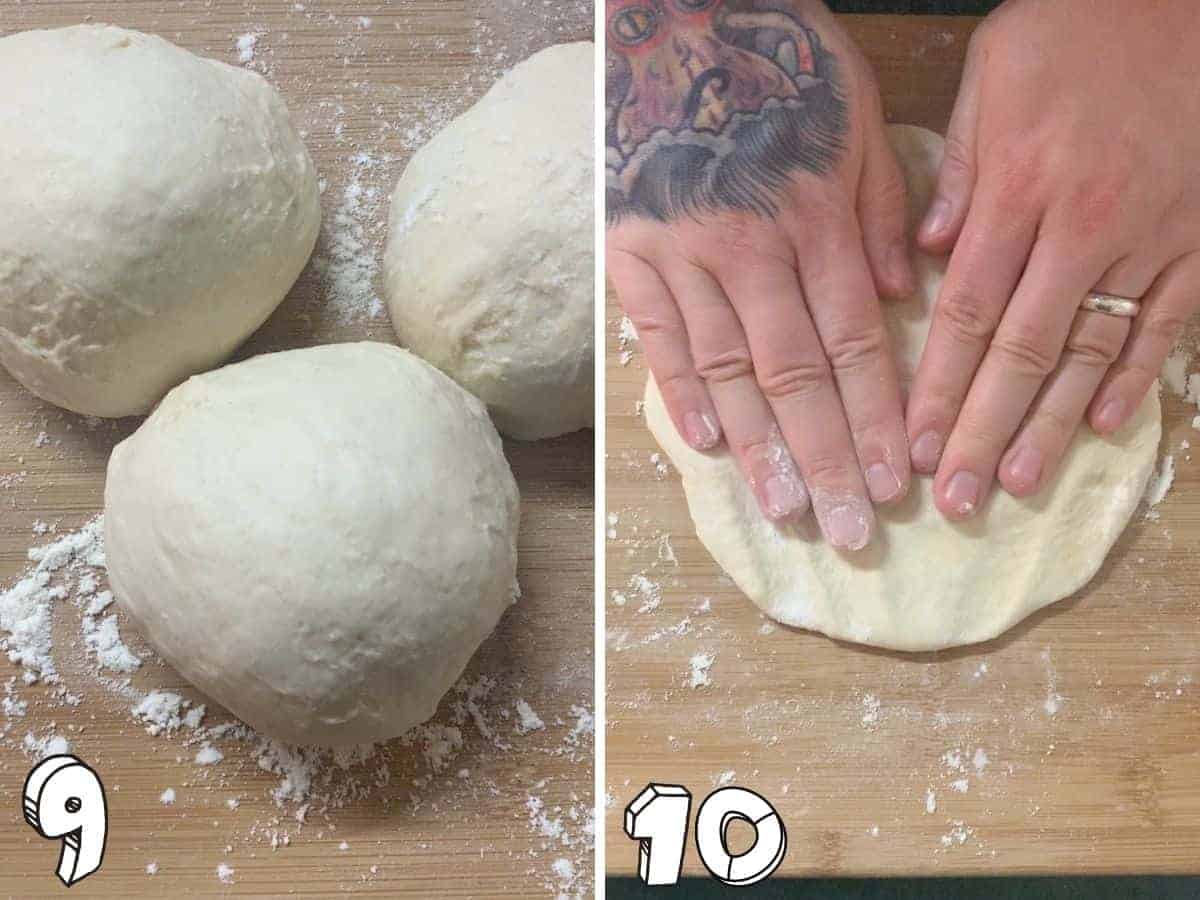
x,y
755,212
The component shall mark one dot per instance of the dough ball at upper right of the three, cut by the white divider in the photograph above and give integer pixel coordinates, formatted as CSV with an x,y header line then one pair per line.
x,y
489,268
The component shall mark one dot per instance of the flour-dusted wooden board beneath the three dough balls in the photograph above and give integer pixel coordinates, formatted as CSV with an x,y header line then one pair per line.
x,y
368,83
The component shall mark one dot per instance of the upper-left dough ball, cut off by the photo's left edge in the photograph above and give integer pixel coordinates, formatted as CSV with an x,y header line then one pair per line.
x,y
157,207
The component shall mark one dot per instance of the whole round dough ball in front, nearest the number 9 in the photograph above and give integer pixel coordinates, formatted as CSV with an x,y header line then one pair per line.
x,y
317,539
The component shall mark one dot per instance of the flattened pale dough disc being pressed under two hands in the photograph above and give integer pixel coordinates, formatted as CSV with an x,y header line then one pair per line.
x,y
925,584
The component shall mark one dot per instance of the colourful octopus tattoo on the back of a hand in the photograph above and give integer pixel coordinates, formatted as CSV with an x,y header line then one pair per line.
x,y
715,105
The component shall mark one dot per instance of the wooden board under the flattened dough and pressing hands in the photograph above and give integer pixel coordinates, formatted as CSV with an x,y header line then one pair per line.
x,y
1067,746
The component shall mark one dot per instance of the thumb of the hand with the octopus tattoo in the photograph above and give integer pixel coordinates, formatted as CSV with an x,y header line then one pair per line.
x,y
883,215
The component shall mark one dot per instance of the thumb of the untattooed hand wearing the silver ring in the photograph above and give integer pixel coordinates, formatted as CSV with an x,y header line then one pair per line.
x,y
957,177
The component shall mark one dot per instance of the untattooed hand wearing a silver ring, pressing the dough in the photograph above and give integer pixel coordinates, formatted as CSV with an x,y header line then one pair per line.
x,y
1073,163
